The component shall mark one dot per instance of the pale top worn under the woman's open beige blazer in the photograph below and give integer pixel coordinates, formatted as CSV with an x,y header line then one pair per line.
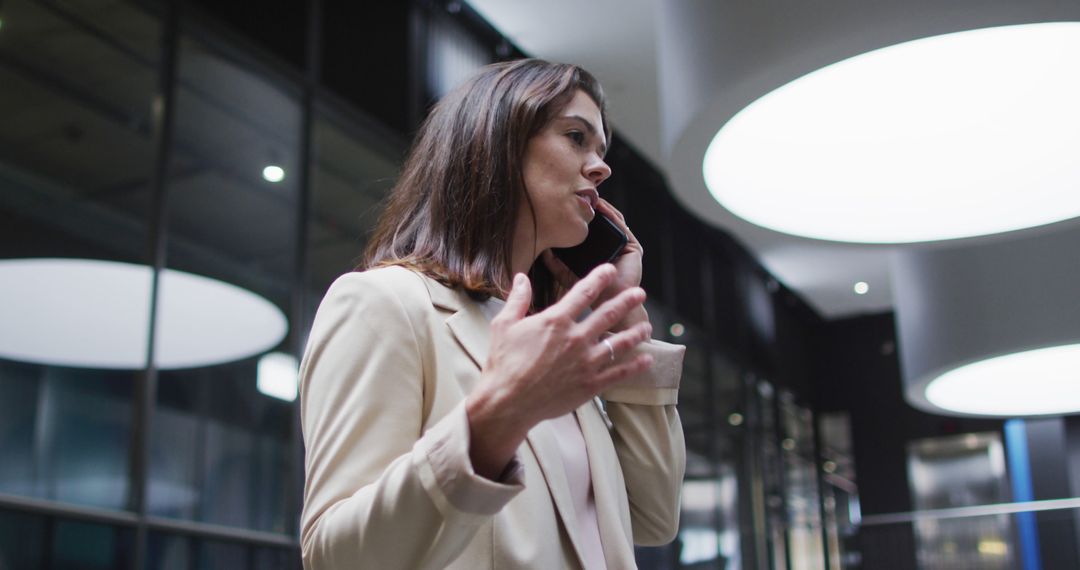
x,y
572,451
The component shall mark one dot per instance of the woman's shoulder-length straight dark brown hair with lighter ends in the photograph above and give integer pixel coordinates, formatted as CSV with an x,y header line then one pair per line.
x,y
453,211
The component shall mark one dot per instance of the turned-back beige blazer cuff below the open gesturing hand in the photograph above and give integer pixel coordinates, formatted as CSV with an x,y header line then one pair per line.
x,y
448,474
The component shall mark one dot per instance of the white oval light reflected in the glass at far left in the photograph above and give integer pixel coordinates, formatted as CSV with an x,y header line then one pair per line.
x,y
96,315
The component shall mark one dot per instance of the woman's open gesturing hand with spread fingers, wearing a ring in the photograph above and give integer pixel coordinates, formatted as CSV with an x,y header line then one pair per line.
x,y
546,365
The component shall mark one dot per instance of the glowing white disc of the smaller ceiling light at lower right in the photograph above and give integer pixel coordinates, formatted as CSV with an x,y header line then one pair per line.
x,y
1036,383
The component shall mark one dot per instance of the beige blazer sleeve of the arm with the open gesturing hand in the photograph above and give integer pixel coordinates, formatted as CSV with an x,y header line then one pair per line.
x,y
380,492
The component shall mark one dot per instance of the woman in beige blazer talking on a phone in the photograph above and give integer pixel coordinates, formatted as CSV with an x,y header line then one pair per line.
x,y
448,400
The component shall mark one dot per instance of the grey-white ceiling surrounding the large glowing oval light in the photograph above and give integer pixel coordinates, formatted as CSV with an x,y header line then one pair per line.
x,y
677,72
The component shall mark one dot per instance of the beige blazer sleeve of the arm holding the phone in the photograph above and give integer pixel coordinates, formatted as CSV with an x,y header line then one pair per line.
x,y
649,439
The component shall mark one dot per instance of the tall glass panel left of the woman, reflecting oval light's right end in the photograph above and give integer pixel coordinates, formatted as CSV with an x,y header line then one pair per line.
x,y
220,440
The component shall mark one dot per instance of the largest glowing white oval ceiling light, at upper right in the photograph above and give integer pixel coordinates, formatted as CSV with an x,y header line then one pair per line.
x,y
953,137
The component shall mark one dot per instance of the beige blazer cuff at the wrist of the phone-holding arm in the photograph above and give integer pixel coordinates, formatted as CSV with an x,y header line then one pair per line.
x,y
659,385
